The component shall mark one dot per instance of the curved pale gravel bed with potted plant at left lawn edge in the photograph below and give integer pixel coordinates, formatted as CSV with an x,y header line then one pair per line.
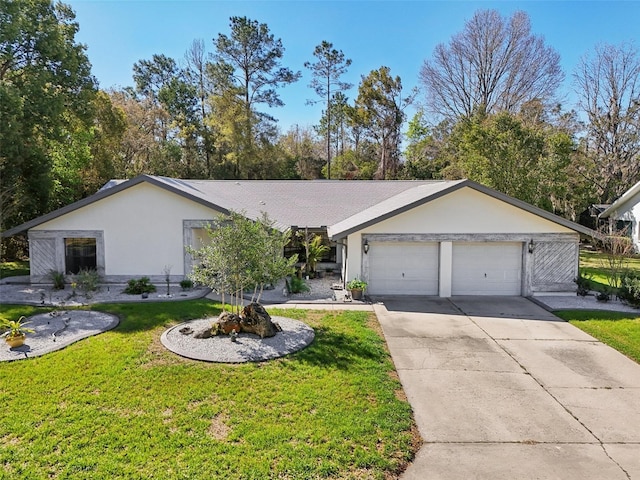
x,y
56,330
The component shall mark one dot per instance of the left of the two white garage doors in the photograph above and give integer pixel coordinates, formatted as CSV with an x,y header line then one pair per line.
x,y
403,268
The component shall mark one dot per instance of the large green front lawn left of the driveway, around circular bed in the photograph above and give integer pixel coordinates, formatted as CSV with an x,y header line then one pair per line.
x,y
119,405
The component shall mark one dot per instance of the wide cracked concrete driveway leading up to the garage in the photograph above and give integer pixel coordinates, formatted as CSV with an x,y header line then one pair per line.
x,y
502,389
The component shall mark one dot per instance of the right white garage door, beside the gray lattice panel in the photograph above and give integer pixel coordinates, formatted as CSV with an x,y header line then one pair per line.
x,y
487,268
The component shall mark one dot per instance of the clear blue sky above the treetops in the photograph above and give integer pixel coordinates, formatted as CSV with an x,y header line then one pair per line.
x,y
397,34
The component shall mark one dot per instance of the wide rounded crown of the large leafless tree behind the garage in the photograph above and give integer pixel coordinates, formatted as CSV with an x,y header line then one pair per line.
x,y
493,65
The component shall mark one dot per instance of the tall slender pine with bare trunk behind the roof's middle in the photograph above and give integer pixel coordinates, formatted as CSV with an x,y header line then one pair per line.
x,y
326,71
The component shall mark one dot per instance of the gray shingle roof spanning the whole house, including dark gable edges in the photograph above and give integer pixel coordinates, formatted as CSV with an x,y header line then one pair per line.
x,y
342,206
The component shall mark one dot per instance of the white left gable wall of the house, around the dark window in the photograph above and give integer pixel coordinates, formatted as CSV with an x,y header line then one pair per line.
x,y
142,229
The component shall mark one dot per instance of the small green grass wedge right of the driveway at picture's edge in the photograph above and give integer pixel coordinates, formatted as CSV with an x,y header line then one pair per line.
x,y
617,329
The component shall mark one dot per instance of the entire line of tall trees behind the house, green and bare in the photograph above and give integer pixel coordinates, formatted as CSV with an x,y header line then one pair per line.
x,y
487,110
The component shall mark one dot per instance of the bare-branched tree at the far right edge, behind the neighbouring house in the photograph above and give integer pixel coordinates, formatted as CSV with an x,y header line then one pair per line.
x,y
608,84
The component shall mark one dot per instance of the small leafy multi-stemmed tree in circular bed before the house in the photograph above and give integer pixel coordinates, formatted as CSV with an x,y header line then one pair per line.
x,y
241,253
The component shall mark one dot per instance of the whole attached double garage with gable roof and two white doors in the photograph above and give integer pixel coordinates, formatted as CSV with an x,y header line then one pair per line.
x,y
460,239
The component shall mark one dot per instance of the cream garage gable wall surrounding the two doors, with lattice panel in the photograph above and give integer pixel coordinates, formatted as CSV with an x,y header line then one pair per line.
x,y
471,216
